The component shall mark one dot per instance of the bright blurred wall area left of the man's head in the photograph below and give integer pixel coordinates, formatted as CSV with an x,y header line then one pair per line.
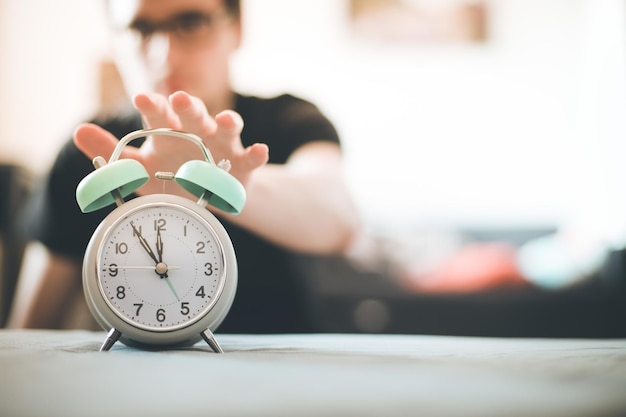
x,y
48,59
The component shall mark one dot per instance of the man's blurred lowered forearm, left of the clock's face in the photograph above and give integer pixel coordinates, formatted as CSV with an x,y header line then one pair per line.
x,y
46,289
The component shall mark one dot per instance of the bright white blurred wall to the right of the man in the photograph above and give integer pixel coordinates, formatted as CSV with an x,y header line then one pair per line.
x,y
513,131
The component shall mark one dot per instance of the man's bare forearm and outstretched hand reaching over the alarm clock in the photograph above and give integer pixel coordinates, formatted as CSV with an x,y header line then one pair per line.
x,y
302,205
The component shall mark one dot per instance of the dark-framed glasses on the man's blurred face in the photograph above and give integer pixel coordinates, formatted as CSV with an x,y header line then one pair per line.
x,y
187,26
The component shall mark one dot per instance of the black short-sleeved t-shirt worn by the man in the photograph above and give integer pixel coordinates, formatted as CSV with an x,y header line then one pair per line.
x,y
270,296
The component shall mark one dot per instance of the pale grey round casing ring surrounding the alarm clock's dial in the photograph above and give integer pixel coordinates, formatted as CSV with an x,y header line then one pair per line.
x,y
189,332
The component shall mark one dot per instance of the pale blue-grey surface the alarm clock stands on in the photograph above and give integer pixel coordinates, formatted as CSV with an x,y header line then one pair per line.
x,y
60,373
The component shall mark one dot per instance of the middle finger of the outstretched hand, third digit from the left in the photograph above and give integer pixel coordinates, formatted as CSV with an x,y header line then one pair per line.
x,y
193,114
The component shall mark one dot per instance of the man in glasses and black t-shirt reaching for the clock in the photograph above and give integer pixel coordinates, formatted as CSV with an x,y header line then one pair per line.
x,y
296,200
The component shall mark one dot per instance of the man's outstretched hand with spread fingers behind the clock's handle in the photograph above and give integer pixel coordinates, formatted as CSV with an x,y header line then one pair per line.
x,y
180,111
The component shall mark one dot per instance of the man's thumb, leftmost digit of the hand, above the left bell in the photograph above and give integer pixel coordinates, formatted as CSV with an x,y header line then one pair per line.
x,y
92,140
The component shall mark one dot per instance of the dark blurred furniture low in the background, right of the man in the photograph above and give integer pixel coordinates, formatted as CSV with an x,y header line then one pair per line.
x,y
347,299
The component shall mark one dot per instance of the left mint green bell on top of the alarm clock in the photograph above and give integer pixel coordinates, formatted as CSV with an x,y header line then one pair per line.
x,y
98,188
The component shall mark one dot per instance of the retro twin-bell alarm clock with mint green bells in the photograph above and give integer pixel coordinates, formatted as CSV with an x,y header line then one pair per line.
x,y
160,270
